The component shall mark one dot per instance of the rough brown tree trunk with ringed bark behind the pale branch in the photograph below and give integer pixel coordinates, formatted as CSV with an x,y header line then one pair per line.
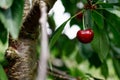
x,y
21,53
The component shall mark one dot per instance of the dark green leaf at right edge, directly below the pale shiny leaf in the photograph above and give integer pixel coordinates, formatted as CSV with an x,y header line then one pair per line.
x,y
113,21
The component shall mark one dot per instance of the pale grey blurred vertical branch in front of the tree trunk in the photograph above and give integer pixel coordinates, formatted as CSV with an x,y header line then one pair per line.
x,y
42,68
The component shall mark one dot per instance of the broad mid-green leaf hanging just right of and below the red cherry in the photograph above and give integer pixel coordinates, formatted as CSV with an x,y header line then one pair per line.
x,y
100,43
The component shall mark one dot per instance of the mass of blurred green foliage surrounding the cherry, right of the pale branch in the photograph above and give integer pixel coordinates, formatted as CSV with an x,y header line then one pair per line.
x,y
105,47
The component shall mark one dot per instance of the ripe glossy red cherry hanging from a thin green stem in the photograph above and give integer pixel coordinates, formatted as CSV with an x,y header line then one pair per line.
x,y
85,36
